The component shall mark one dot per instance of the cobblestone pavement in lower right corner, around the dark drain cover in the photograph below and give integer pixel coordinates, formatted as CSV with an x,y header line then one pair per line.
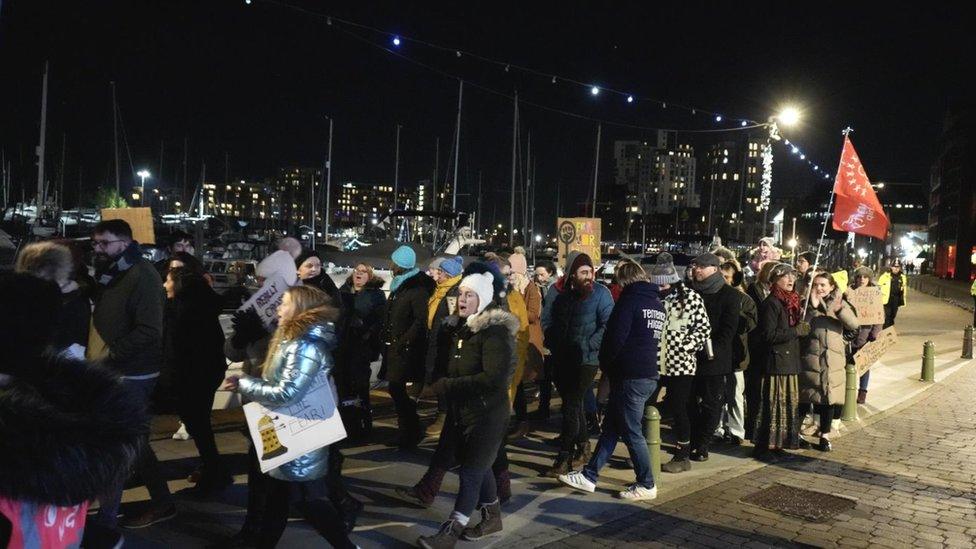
x,y
912,474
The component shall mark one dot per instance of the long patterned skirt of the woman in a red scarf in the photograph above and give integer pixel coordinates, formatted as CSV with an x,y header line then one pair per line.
x,y
777,425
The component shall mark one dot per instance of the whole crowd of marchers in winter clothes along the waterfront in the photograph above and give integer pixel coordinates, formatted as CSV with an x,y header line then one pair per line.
x,y
728,351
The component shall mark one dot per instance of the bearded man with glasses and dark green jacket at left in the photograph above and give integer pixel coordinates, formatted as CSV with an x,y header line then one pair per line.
x,y
126,336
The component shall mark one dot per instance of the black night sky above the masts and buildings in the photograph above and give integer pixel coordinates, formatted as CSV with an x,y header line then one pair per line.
x,y
255,81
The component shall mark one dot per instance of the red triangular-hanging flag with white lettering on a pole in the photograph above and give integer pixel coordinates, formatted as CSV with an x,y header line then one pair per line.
x,y
856,206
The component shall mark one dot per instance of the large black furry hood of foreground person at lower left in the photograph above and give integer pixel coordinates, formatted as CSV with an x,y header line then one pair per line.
x,y
70,429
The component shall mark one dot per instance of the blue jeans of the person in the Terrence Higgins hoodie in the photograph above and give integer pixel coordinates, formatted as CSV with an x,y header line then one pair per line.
x,y
625,409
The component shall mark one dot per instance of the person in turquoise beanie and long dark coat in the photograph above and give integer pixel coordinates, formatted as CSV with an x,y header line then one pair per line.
x,y
405,336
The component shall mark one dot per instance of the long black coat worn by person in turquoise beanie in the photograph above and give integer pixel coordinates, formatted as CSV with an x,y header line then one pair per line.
x,y
405,330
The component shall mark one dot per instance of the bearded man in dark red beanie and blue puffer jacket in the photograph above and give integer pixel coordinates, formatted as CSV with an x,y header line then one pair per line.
x,y
574,318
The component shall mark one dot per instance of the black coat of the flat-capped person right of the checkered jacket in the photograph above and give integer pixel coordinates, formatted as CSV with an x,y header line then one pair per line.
x,y
723,307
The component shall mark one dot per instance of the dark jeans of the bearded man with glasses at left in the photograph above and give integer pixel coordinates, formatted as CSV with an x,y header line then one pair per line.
x,y
146,465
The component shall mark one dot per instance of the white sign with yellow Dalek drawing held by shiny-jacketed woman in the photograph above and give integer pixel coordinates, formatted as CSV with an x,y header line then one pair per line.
x,y
282,434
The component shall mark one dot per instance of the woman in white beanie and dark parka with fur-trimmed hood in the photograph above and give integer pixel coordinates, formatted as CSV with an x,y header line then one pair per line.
x,y
476,390
